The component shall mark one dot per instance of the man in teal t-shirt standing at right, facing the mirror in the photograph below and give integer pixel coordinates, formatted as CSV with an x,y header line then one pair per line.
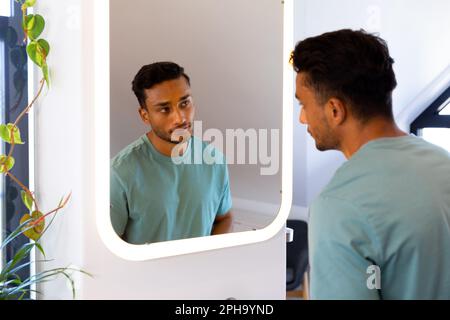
x,y
381,228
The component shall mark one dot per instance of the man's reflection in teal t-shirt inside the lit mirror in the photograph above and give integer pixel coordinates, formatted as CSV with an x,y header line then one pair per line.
x,y
154,195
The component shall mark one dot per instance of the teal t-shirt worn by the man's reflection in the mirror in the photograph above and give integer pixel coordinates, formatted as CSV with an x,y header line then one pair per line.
x,y
156,199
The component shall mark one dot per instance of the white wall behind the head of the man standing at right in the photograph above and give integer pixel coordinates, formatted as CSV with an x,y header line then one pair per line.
x,y
417,36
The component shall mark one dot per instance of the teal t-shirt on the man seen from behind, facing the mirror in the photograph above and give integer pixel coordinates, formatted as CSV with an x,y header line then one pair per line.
x,y
387,206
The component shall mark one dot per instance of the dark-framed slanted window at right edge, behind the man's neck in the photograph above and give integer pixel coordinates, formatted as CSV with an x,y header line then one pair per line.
x,y
434,123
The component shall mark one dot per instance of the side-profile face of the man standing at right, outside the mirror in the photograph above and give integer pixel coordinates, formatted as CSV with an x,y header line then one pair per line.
x,y
313,114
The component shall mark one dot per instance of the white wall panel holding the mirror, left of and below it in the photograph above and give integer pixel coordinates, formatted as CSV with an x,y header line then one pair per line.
x,y
64,163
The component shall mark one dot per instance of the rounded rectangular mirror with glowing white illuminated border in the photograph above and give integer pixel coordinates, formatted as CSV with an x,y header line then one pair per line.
x,y
234,56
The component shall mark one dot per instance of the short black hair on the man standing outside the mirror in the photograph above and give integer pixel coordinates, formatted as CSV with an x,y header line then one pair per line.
x,y
353,66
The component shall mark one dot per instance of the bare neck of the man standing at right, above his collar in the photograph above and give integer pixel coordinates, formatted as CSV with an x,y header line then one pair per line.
x,y
360,134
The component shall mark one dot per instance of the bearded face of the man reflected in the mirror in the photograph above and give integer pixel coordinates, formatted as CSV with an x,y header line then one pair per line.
x,y
169,109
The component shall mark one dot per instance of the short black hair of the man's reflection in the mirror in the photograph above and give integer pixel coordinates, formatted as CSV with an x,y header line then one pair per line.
x,y
153,74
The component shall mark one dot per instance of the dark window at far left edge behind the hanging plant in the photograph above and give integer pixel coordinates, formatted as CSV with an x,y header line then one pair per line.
x,y
13,99
